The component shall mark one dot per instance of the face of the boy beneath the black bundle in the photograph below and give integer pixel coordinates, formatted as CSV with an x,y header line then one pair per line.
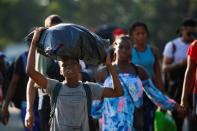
x,y
69,68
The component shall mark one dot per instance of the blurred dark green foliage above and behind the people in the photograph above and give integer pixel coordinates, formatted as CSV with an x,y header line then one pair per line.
x,y
163,17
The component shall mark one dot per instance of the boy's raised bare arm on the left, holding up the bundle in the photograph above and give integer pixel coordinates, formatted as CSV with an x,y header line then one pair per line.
x,y
33,74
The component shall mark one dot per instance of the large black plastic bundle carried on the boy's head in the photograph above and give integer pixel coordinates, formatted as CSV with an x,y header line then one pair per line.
x,y
73,41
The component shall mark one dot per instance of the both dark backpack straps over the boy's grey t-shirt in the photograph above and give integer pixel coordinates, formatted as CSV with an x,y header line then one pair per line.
x,y
89,103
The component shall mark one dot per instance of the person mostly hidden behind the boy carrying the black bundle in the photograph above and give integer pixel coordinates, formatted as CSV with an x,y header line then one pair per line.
x,y
47,67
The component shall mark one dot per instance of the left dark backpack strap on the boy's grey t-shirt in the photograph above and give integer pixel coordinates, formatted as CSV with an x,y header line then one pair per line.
x,y
54,100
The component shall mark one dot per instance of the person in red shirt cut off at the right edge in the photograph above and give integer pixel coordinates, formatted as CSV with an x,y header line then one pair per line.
x,y
190,84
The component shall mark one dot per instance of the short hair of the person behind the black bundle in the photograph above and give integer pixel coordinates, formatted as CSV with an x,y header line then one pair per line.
x,y
53,19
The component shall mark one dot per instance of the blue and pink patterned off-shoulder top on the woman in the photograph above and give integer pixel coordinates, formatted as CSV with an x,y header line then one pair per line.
x,y
118,113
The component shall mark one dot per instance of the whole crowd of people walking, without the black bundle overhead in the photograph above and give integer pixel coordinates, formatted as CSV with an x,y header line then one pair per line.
x,y
122,94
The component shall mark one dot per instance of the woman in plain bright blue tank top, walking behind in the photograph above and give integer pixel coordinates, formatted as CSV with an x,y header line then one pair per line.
x,y
148,57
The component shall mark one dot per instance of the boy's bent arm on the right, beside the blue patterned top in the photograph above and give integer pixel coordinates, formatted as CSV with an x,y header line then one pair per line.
x,y
117,88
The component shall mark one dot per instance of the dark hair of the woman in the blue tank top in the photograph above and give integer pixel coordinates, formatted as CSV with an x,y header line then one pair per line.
x,y
138,24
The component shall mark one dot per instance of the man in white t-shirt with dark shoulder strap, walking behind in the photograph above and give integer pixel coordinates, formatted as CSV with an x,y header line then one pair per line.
x,y
175,62
